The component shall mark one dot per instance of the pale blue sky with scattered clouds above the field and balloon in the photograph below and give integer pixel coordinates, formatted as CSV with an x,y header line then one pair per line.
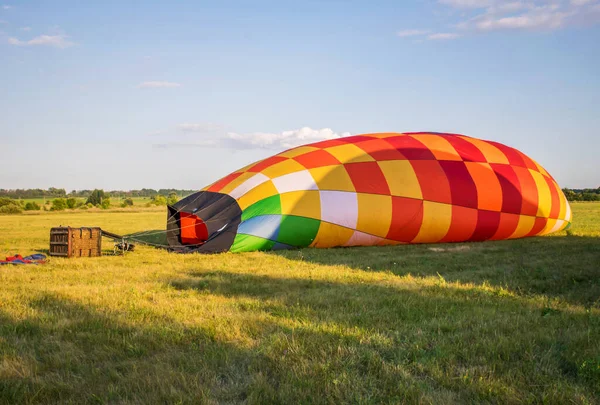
x,y
122,95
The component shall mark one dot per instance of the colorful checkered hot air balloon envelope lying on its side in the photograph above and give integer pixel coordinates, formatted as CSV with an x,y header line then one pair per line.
x,y
374,189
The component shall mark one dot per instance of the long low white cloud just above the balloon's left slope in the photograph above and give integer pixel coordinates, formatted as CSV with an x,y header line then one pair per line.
x,y
213,135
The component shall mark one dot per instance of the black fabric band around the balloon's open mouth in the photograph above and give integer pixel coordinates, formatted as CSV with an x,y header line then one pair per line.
x,y
221,214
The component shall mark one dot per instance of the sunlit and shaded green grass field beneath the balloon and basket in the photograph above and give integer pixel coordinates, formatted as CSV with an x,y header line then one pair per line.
x,y
494,322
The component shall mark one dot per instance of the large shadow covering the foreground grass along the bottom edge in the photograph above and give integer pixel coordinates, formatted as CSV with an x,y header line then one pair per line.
x,y
301,341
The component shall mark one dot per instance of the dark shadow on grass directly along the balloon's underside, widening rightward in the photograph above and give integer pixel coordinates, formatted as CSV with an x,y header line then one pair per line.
x,y
565,267
